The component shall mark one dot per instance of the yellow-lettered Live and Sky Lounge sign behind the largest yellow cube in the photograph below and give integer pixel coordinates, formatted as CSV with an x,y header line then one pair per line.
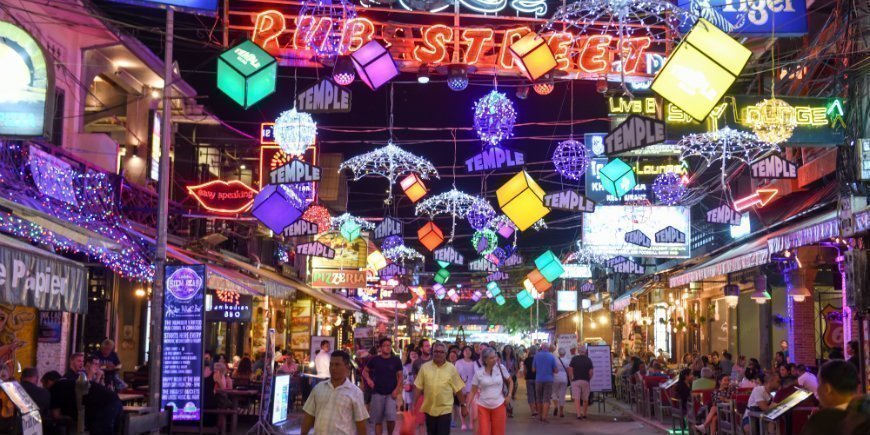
x,y
819,120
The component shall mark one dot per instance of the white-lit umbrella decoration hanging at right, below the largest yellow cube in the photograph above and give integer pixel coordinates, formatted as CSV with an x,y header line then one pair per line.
x,y
725,144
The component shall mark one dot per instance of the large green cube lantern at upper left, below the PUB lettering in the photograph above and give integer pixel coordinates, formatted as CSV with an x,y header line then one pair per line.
x,y
247,73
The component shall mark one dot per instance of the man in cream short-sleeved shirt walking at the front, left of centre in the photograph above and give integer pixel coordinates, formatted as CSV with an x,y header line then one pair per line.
x,y
336,407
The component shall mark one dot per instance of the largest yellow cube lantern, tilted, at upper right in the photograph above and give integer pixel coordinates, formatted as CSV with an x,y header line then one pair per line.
x,y
701,69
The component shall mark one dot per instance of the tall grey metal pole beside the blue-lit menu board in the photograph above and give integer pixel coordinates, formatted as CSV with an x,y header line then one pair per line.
x,y
156,320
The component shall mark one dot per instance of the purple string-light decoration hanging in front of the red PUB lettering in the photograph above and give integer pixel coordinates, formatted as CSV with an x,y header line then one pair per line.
x,y
325,41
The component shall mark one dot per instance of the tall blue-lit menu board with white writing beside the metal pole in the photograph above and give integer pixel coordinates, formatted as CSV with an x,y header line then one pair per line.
x,y
183,321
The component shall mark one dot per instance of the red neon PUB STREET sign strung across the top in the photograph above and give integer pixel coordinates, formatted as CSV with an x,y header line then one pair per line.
x,y
484,42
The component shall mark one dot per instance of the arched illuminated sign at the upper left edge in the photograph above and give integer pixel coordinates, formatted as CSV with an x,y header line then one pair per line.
x,y
26,81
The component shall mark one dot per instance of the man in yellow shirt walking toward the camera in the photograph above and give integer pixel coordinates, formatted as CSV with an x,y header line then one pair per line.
x,y
438,381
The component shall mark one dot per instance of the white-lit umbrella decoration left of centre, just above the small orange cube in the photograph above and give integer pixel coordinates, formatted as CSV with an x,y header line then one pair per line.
x,y
390,162
